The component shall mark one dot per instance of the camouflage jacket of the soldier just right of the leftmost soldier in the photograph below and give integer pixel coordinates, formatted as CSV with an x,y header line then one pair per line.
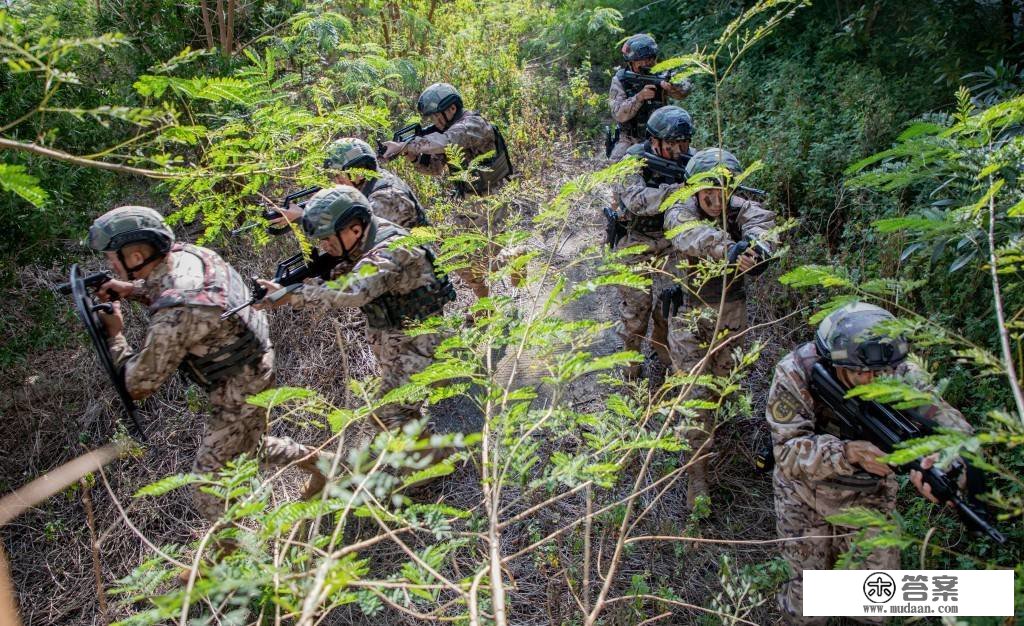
x,y
381,273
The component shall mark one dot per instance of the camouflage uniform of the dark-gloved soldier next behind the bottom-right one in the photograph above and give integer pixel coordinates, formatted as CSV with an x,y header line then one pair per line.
x,y
692,329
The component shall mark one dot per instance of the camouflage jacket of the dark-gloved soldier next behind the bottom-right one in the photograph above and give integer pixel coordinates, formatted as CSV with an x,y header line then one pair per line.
x,y
705,239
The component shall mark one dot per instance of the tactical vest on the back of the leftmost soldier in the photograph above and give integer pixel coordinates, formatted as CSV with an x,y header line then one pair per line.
x,y
222,288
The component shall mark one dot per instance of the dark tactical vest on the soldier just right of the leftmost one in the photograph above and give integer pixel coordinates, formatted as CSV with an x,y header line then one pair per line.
x,y
393,311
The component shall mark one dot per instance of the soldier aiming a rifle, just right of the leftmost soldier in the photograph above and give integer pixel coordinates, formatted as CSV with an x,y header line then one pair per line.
x,y
393,284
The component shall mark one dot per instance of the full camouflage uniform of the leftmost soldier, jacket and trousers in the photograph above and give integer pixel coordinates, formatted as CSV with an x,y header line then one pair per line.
x,y
186,296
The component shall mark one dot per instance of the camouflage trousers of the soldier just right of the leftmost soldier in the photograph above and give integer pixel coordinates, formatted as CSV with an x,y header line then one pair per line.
x,y
400,357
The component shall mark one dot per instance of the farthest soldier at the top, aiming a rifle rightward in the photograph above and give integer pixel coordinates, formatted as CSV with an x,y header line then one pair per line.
x,y
630,108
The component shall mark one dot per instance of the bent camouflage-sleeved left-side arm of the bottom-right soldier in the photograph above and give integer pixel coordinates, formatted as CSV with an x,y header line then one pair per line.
x,y
800,453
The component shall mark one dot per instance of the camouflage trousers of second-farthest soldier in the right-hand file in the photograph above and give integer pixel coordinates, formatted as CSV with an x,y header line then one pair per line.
x,y
641,310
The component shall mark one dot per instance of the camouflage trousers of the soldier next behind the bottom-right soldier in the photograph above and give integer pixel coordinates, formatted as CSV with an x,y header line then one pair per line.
x,y
692,335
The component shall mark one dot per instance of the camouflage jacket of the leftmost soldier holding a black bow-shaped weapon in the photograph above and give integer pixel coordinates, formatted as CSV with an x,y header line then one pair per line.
x,y
186,296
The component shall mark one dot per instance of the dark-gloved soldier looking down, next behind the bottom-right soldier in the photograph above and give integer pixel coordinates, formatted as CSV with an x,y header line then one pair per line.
x,y
712,311
